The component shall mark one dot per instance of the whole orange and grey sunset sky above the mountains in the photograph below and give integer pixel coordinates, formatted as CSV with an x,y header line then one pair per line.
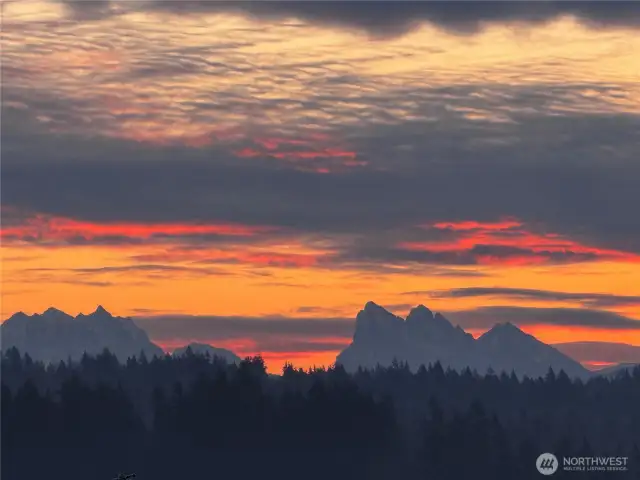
x,y
250,174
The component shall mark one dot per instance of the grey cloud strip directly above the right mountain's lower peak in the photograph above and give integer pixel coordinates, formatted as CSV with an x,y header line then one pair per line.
x,y
487,317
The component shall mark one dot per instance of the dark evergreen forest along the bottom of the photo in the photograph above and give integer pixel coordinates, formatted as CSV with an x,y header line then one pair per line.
x,y
197,417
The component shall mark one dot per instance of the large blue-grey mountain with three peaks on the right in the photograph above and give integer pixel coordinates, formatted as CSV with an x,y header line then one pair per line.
x,y
424,338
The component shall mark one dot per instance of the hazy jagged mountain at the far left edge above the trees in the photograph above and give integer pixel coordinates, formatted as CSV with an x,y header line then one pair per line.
x,y
54,335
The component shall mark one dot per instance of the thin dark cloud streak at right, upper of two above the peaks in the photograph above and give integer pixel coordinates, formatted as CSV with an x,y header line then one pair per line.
x,y
593,300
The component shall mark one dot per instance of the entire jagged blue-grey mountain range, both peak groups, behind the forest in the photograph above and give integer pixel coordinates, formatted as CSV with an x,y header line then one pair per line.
x,y
380,337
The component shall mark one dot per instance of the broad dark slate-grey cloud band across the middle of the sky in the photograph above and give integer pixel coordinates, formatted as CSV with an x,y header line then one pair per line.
x,y
592,202
